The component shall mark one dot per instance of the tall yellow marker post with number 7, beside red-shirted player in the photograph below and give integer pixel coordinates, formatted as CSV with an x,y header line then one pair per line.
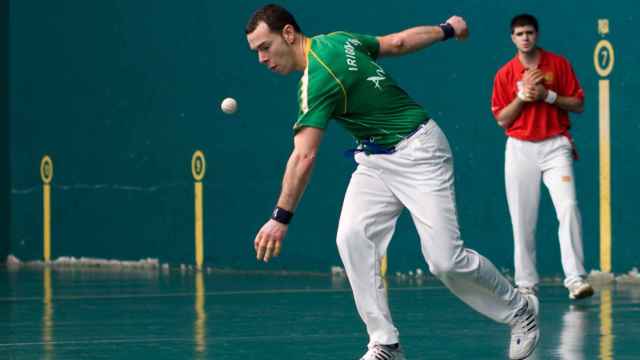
x,y
603,60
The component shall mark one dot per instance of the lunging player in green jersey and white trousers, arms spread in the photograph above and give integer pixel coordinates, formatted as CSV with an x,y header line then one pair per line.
x,y
404,160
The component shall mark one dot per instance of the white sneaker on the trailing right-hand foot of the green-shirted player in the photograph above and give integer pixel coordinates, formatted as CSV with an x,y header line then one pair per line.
x,y
524,330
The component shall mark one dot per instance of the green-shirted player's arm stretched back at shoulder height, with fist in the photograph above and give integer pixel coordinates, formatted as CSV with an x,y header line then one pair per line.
x,y
420,37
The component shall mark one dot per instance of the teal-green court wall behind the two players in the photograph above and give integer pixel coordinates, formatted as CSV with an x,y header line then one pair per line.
x,y
121,93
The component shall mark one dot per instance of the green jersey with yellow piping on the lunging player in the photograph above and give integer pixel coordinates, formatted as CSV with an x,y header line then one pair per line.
x,y
342,81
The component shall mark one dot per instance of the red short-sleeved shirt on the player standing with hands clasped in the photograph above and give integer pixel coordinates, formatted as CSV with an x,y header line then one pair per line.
x,y
538,120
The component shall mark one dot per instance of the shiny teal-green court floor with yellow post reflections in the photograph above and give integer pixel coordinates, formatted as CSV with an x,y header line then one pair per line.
x,y
108,314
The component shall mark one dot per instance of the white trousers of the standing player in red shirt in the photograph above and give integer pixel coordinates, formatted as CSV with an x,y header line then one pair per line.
x,y
526,163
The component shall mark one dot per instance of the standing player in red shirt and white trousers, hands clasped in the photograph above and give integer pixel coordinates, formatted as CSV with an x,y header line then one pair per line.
x,y
532,95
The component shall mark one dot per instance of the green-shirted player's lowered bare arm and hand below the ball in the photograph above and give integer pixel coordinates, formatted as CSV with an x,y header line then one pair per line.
x,y
296,177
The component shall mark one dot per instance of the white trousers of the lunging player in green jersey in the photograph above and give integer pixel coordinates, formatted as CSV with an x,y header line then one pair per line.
x,y
418,176
